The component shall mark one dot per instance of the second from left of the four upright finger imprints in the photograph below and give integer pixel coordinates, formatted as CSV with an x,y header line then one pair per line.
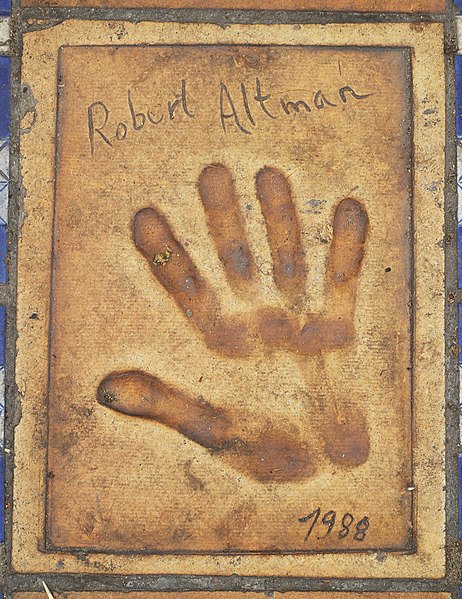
x,y
226,224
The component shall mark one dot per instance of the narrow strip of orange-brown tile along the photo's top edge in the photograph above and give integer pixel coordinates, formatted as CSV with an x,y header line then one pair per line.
x,y
409,6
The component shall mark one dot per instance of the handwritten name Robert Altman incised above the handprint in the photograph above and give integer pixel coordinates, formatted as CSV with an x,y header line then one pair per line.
x,y
234,110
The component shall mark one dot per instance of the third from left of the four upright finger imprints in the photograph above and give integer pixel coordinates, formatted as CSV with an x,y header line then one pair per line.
x,y
283,228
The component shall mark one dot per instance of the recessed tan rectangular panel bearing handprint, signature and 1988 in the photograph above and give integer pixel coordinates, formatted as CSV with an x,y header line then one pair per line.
x,y
260,189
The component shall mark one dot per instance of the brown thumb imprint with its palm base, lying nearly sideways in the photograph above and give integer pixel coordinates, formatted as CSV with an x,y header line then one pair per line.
x,y
268,457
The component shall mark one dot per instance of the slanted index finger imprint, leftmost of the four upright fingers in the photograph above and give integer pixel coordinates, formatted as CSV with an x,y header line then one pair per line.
x,y
173,267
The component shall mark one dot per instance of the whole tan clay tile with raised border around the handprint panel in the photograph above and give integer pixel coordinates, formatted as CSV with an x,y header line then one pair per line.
x,y
232,349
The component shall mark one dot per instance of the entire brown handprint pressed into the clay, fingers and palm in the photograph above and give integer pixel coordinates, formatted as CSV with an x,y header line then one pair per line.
x,y
272,455
